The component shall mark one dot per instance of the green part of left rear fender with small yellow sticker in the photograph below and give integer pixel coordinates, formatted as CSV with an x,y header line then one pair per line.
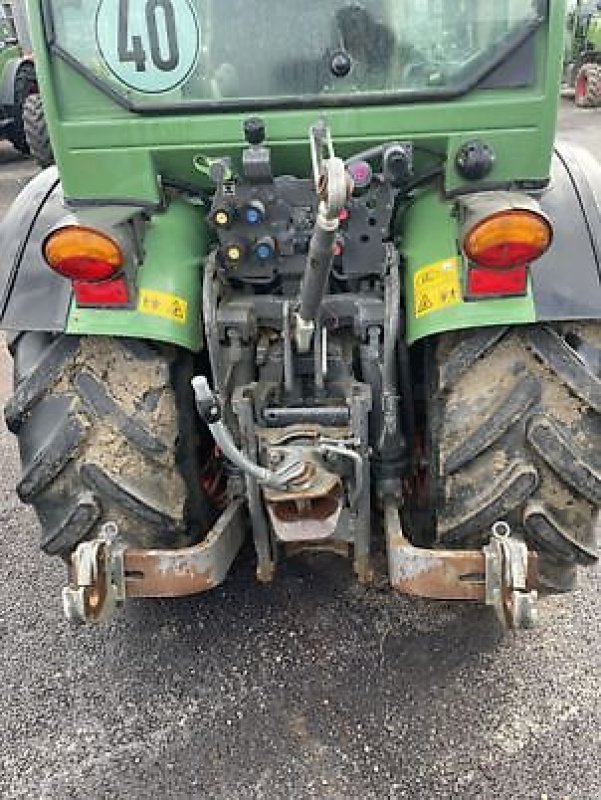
x,y
168,285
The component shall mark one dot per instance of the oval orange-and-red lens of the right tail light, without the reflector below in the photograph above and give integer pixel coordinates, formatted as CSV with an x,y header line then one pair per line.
x,y
508,239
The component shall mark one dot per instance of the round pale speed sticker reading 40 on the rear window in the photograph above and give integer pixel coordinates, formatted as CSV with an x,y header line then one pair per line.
x,y
151,46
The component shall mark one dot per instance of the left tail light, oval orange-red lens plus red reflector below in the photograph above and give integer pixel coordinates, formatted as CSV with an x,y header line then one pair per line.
x,y
92,260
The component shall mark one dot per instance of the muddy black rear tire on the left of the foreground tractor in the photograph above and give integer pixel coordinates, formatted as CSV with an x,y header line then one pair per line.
x,y
107,431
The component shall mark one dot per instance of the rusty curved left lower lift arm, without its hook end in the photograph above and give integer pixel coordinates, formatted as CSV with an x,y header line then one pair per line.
x,y
189,570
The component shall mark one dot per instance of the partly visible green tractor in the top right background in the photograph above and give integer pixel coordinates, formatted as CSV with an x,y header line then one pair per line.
x,y
582,60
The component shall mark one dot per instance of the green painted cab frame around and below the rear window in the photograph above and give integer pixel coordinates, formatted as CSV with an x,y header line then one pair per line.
x,y
105,151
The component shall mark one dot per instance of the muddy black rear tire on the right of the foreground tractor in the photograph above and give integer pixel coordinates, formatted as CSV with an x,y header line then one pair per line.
x,y
515,418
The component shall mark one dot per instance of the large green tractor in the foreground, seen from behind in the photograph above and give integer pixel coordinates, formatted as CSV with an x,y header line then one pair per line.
x,y
315,287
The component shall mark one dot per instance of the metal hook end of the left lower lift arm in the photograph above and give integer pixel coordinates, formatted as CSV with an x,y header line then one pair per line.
x,y
97,578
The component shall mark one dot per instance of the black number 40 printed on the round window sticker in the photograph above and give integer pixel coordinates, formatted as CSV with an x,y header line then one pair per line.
x,y
134,50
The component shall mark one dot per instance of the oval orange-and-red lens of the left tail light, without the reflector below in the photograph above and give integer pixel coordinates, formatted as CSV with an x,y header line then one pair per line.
x,y
82,253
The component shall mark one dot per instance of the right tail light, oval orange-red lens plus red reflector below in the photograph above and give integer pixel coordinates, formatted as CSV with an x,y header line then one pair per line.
x,y
500,247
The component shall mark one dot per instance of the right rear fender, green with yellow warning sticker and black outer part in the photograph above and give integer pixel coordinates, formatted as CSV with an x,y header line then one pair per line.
x,y
564,284
